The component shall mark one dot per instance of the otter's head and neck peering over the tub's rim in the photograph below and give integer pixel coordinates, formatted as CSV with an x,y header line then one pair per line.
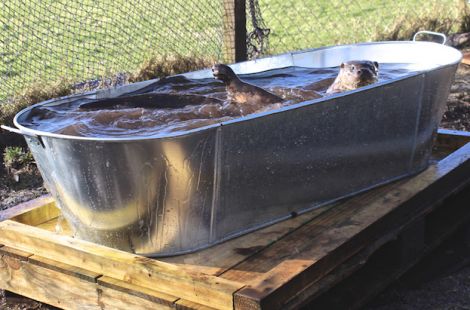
x,y
354,74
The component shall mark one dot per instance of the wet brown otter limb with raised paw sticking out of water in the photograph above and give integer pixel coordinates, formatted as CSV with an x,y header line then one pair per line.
x,y
243,93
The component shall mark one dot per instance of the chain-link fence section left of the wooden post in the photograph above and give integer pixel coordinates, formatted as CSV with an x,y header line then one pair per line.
x,y
83,39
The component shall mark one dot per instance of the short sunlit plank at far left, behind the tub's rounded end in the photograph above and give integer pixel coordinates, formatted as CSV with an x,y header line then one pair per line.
x,y
32,212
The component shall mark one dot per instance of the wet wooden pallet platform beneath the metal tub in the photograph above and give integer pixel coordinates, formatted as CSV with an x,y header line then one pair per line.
x,y
334,257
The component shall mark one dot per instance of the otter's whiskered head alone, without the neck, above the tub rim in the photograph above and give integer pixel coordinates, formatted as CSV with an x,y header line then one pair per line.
x,y
359,73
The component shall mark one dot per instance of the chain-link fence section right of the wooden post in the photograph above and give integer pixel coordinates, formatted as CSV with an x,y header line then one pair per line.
x,y
300,24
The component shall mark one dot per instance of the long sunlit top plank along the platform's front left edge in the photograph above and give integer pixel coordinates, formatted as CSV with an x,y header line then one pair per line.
x,y
138,270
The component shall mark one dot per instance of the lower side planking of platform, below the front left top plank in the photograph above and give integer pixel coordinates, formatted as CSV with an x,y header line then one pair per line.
x,y
70,287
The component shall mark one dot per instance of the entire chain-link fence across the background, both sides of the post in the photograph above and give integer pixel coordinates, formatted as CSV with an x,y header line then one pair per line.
x,y
85,39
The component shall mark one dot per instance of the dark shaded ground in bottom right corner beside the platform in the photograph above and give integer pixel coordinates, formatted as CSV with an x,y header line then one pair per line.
x,y
440,281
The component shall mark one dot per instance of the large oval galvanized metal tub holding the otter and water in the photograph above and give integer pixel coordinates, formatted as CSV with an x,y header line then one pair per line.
x,y
177,193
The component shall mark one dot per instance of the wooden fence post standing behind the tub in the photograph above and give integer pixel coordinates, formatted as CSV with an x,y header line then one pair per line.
x,y
234,31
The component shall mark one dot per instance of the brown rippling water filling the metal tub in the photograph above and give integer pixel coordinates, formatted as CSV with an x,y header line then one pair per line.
x,y
179,104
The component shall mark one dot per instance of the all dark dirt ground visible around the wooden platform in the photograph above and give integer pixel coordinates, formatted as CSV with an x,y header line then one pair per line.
x,y
441,281
